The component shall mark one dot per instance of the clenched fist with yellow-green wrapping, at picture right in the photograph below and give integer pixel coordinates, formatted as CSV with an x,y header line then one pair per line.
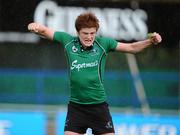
x,y
155,38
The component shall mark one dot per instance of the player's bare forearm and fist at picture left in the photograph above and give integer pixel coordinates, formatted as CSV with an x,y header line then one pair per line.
x,y
41,30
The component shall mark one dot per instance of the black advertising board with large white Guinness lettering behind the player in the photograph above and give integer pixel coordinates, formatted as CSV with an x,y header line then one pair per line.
x,y
120,20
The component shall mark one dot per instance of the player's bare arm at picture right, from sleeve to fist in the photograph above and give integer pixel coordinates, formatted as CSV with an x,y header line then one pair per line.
x,y
138,46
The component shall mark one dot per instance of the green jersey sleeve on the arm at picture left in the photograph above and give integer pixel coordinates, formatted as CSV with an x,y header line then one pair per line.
x,y
62,37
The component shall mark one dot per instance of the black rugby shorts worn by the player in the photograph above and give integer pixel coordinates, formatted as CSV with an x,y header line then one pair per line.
x,y
96,116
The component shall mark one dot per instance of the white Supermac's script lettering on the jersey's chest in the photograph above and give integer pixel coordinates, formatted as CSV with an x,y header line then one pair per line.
x,y
78,66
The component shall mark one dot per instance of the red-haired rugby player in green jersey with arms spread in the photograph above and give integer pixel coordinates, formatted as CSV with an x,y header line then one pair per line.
x,y
86,56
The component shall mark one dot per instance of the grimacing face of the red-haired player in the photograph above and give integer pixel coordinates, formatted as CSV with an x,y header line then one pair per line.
x,y
87,36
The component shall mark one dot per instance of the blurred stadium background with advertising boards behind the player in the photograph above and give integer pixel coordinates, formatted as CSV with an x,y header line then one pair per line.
x,y
34,76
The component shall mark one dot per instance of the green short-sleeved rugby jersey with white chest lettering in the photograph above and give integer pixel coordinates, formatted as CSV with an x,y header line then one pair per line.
x,y
86,67
